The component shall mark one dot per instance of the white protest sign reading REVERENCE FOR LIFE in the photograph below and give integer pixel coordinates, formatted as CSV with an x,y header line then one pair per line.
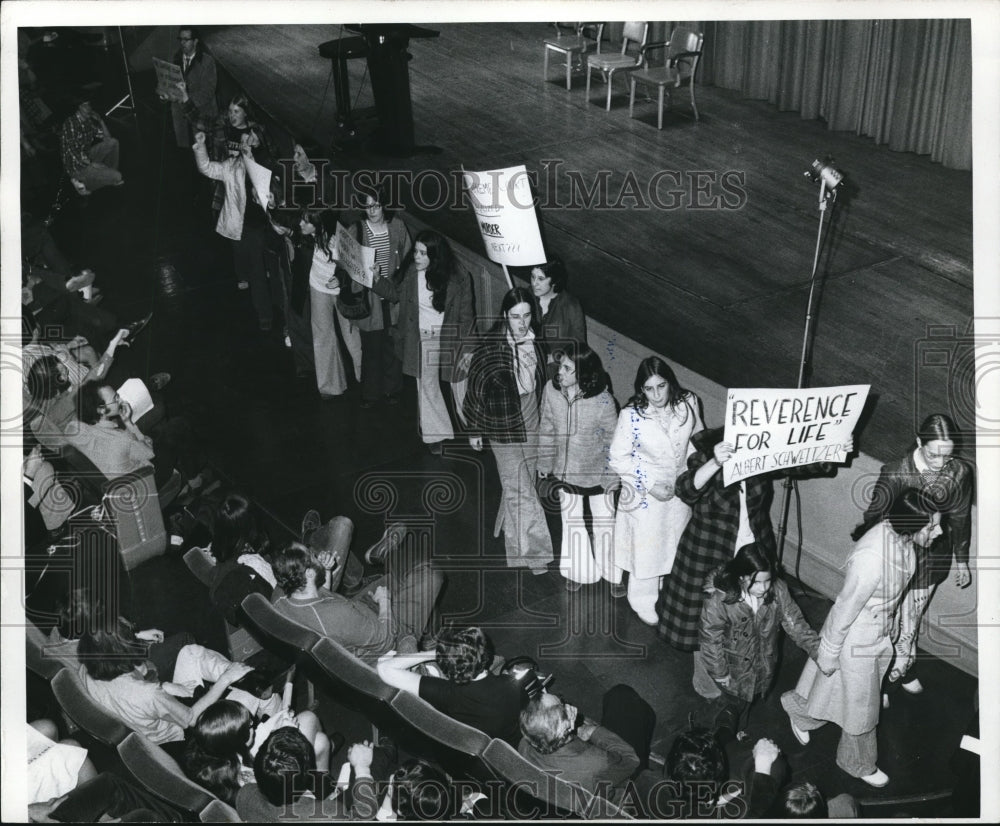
x,y
773,429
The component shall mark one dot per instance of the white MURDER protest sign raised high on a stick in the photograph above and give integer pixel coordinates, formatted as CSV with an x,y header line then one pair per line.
x,y
505,212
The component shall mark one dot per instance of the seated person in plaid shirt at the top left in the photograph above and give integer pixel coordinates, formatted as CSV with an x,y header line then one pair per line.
x,y
89,152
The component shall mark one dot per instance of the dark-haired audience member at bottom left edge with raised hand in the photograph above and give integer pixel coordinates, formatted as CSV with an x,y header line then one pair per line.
x,y
289,784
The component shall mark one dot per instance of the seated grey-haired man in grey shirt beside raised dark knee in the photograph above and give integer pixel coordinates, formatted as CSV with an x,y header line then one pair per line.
x,y
600,758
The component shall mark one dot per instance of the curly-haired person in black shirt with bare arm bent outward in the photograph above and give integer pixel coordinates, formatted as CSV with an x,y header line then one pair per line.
x,y
468,691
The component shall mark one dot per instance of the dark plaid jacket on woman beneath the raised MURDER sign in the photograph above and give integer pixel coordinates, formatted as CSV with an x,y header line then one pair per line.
x,y
492,403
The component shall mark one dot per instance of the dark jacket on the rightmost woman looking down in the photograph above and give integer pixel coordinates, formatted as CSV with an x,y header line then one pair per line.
x,y
952,490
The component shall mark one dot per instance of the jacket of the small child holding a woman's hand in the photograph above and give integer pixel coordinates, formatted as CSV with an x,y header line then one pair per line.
x,y
743,645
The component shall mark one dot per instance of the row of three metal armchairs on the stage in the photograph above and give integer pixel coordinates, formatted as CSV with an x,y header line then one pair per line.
x,y
632,59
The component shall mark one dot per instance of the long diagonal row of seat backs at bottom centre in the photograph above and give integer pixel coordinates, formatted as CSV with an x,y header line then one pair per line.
x,y
421,729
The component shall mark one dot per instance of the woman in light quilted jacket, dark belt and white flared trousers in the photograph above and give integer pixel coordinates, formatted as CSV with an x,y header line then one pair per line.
x,y
578,419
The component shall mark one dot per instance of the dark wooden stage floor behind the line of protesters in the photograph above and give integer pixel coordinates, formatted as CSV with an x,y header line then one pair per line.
x,y
718,289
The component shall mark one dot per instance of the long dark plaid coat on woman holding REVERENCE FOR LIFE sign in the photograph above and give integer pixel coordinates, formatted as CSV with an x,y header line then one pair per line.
x,y
707,542
